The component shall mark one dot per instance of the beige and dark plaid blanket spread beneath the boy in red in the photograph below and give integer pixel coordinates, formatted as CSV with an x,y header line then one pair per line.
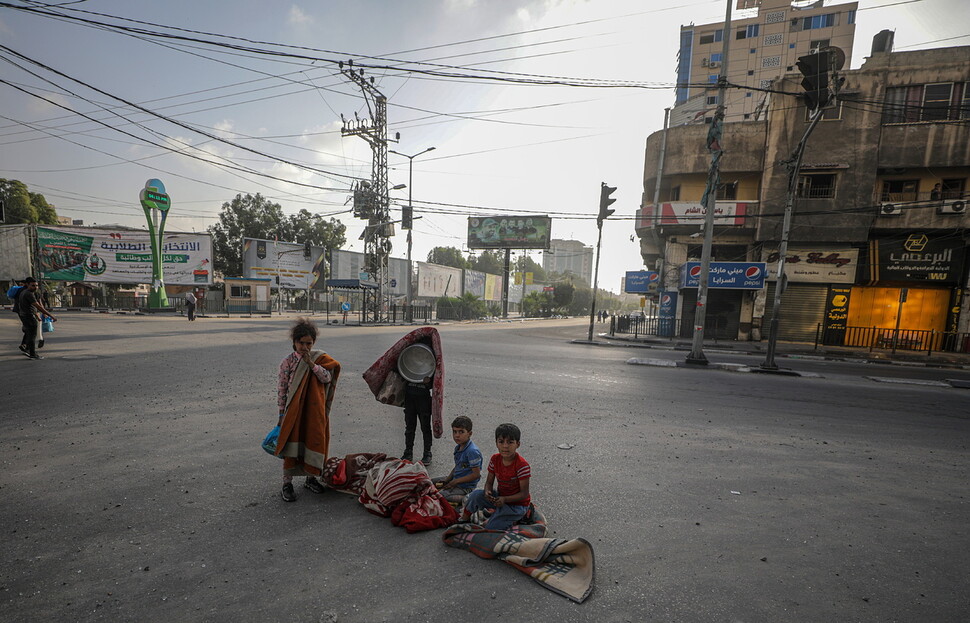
x,y
563,566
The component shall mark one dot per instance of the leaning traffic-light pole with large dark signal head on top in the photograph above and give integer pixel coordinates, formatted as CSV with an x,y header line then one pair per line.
x,y
817,69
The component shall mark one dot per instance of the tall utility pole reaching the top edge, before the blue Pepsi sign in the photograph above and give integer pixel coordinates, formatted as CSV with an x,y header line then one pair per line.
x,y
696,355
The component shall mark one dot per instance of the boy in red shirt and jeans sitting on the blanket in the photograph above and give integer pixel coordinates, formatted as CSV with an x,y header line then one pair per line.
x,y
510,499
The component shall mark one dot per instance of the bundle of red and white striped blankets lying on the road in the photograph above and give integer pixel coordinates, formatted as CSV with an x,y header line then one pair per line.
x,y
394,488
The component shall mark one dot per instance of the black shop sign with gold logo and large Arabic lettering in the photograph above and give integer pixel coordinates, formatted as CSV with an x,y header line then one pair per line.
x,y
917,257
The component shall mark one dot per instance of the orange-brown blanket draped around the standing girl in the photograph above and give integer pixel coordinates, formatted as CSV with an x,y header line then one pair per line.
x,y
304,439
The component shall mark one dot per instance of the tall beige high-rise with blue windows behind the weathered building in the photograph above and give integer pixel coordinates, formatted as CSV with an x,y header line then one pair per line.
x,y
762,48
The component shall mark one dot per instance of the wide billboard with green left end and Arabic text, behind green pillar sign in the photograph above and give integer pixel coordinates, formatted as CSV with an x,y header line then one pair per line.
x,y
122,256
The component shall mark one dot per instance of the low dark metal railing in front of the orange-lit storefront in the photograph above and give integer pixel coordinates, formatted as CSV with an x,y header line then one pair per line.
x,y
873,338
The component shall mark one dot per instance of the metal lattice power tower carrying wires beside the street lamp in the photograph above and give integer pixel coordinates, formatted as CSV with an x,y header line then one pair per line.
x,y
373,203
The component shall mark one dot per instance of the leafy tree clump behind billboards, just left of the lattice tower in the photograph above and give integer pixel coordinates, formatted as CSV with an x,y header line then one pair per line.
x,y
252,216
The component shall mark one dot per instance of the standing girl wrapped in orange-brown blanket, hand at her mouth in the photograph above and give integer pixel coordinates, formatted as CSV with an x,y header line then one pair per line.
x,y
305,389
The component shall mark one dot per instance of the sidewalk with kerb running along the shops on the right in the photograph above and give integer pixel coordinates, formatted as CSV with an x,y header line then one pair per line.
x,y
794,350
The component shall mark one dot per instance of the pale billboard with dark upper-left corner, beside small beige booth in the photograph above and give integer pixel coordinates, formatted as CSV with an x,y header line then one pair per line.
x,y
267,259
